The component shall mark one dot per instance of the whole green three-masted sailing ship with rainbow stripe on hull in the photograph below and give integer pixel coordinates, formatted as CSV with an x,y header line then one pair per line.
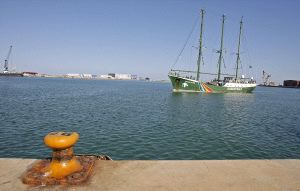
x,y
230,83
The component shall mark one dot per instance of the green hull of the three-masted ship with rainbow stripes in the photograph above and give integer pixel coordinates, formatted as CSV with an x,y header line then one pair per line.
x,y
181,84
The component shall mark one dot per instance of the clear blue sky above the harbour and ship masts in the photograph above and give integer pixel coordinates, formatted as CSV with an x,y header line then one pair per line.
x,y
144,37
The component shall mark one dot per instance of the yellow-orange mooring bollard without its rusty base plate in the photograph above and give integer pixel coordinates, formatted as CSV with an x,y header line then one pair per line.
x,y
63,161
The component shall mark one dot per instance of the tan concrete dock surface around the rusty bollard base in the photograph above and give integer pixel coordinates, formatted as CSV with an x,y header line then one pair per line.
x,y
244,175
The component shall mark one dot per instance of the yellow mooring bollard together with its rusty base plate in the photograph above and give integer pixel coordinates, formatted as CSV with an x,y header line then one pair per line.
x,y
64,168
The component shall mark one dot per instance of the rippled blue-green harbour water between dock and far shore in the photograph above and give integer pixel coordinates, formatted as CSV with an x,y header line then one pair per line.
x,y
140,120
